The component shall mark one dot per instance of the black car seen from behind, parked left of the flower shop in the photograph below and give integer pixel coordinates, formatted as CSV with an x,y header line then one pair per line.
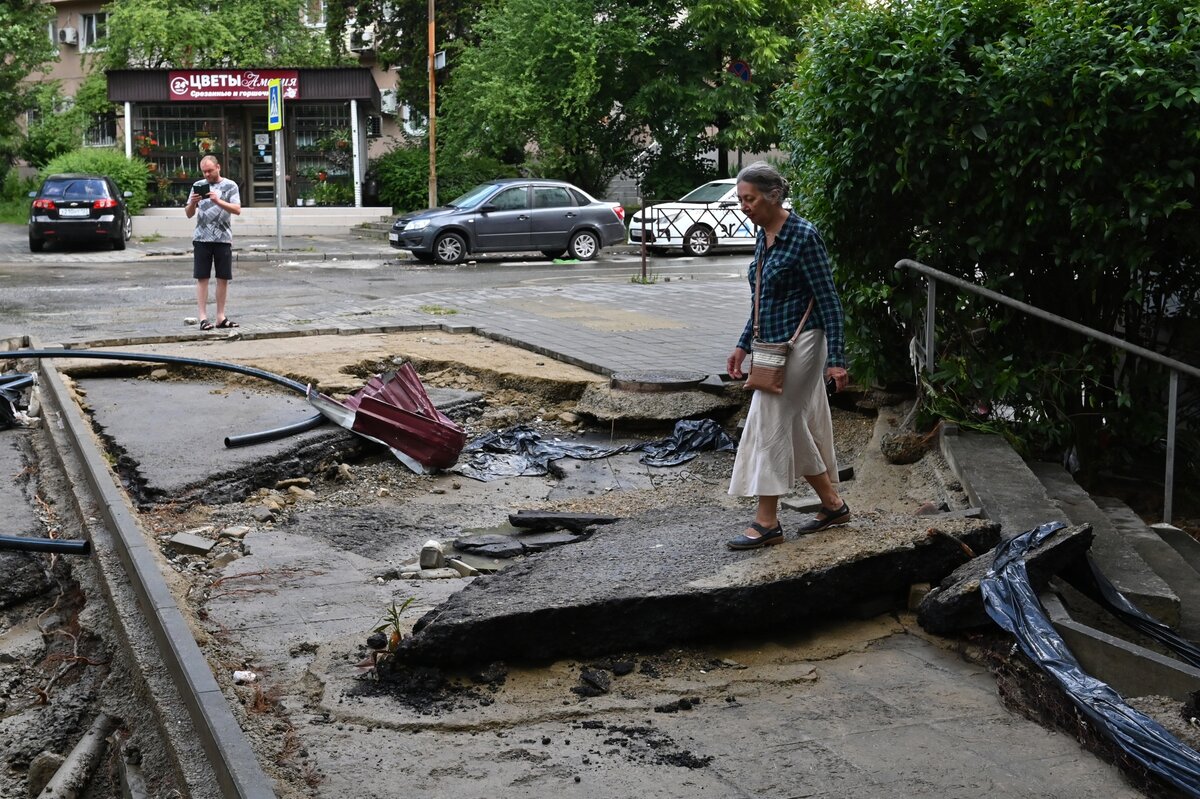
x,y
80,208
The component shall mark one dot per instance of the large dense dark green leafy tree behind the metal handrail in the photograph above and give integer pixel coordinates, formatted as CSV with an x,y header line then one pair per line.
x,y
1046,149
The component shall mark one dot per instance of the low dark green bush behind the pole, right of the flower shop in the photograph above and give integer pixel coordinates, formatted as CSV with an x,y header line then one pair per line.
x,y
404,177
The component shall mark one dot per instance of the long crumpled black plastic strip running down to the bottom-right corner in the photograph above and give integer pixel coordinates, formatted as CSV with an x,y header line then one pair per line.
x,y
1013,605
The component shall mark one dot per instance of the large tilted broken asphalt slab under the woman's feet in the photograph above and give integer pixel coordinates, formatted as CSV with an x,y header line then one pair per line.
x,y
667,579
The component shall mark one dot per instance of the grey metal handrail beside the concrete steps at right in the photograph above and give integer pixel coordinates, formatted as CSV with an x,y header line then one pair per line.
x,y
1177,368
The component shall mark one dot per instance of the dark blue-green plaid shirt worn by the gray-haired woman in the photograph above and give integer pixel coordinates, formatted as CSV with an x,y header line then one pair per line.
x,y
795,271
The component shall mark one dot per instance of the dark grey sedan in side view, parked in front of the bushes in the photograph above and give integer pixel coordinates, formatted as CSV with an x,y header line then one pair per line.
x,y
513,215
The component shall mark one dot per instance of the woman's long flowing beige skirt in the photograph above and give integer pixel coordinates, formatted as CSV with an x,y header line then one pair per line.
x,y
789,435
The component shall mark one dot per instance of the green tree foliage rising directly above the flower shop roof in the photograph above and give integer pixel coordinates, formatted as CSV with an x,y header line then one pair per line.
x,y
159,34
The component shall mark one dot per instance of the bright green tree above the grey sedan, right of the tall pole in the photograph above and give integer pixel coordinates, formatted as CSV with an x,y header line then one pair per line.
x,y
549,77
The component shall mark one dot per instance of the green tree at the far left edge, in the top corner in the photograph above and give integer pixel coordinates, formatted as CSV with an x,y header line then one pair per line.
x,y
27,49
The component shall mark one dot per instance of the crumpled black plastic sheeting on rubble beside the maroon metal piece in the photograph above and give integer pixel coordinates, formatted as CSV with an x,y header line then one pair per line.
x,y
523,452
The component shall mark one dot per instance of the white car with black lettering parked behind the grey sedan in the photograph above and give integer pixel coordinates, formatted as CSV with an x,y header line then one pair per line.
x,y
706,218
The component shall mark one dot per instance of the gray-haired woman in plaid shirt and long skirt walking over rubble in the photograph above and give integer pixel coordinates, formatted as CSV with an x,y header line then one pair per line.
x,y
789,434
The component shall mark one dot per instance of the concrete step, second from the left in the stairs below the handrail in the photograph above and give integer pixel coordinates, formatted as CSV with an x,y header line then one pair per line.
x,y
1125,549
